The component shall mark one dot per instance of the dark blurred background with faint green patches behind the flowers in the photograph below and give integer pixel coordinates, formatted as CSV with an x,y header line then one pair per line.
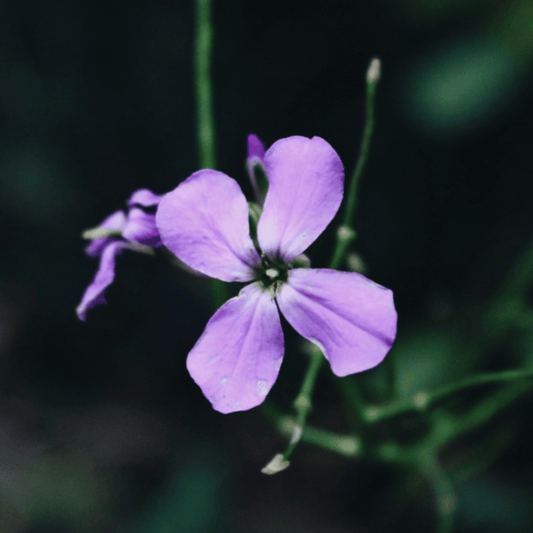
x,y
101,428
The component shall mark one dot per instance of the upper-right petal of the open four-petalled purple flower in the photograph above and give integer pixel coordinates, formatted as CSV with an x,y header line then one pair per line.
x,y
306,179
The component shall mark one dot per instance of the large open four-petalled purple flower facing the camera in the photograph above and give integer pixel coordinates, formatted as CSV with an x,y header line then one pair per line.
x,y
204,221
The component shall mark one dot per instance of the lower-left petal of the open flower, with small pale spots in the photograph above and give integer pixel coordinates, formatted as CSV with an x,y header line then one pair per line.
x,y
237,359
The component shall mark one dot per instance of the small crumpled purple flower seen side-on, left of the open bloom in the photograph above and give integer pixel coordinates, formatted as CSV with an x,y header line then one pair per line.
x,y
135,230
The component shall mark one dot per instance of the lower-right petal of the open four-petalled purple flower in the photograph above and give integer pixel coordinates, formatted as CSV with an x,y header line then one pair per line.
x,y
352,319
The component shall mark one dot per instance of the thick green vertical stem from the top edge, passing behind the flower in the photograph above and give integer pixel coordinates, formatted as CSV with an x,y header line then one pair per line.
x,y
204,107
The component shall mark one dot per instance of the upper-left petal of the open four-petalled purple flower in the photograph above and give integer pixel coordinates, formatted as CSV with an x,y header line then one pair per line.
x,y
204,222
